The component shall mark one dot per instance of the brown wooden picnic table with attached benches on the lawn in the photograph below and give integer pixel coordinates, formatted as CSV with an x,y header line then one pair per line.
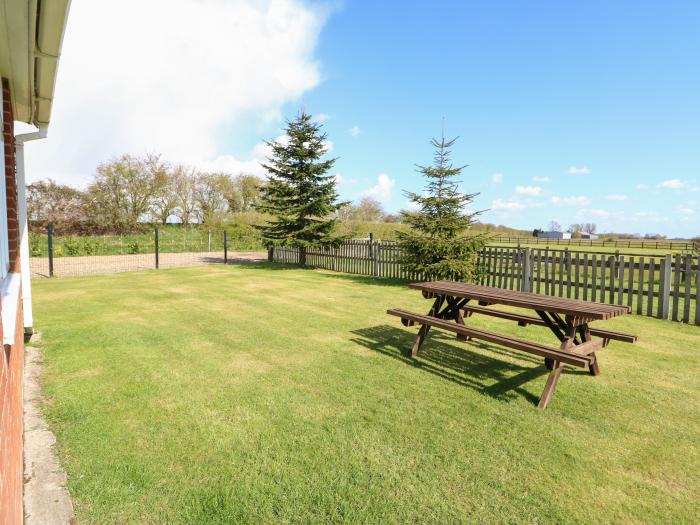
x,y
567,319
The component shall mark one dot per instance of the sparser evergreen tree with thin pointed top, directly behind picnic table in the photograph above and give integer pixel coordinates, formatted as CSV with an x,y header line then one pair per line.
x,y
439,243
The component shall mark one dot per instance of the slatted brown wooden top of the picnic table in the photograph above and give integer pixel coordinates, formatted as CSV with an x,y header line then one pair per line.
x,y
533,301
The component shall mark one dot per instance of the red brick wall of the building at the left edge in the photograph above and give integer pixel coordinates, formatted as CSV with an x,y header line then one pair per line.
x,y
11,356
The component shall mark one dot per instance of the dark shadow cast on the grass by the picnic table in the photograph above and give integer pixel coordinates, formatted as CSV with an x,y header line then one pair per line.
x,y
459,365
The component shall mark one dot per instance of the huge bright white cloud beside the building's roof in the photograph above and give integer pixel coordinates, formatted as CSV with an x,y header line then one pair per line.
x,y
135,84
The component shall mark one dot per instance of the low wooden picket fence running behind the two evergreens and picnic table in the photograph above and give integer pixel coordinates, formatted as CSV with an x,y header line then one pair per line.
x,y
662,286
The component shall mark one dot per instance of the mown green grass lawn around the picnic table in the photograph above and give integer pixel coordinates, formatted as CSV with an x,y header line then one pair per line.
x,y
263,394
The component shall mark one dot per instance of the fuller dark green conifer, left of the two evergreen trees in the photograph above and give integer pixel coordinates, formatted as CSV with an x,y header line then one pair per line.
x,y
300,195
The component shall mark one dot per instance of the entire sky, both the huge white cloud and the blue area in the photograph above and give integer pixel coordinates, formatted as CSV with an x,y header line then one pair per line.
x,y
567,111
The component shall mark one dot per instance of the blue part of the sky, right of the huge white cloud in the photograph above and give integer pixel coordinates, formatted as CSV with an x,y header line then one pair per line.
x,y
532,89
